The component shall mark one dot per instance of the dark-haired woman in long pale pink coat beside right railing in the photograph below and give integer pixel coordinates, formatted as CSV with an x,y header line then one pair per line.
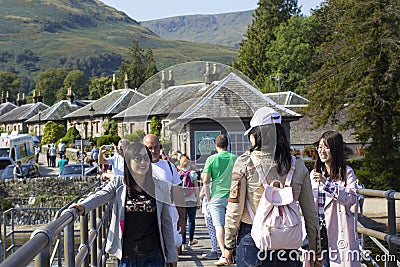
x,y
335,191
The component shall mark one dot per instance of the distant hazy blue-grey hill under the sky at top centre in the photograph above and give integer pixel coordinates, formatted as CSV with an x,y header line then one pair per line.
x,y
220,29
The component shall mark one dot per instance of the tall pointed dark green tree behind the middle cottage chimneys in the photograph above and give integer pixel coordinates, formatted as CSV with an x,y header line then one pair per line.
x,y
139,66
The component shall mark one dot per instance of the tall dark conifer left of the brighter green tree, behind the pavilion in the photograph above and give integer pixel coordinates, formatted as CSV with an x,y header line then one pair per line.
x,y
252,59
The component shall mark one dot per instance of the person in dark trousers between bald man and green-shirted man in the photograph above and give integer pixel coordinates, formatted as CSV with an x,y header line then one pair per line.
x,y
190,188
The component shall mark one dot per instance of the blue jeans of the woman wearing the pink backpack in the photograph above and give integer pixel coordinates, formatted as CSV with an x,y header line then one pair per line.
x,y
247,254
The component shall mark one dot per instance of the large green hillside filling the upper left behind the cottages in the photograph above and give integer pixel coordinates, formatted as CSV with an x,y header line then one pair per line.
x,y
83,34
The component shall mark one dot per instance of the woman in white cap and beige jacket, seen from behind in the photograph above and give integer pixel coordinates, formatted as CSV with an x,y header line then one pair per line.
x,y
270,147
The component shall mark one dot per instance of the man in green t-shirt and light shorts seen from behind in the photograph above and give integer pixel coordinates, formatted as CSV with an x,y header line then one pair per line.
x,y
216,178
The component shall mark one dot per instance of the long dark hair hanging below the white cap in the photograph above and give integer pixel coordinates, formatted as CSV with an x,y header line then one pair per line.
x,y
273,137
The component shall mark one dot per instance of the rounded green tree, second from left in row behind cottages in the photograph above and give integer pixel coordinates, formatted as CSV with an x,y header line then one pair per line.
x,y
49,82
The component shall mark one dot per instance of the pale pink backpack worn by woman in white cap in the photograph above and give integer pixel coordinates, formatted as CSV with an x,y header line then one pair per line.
x,y
277,222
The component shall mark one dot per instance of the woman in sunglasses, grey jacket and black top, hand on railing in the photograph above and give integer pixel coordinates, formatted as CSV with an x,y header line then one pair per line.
x,y
138,197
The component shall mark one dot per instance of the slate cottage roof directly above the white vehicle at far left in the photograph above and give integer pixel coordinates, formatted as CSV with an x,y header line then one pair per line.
x,y
22,113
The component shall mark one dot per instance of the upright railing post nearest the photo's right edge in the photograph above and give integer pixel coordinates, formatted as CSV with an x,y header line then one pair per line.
x,y
391,227
